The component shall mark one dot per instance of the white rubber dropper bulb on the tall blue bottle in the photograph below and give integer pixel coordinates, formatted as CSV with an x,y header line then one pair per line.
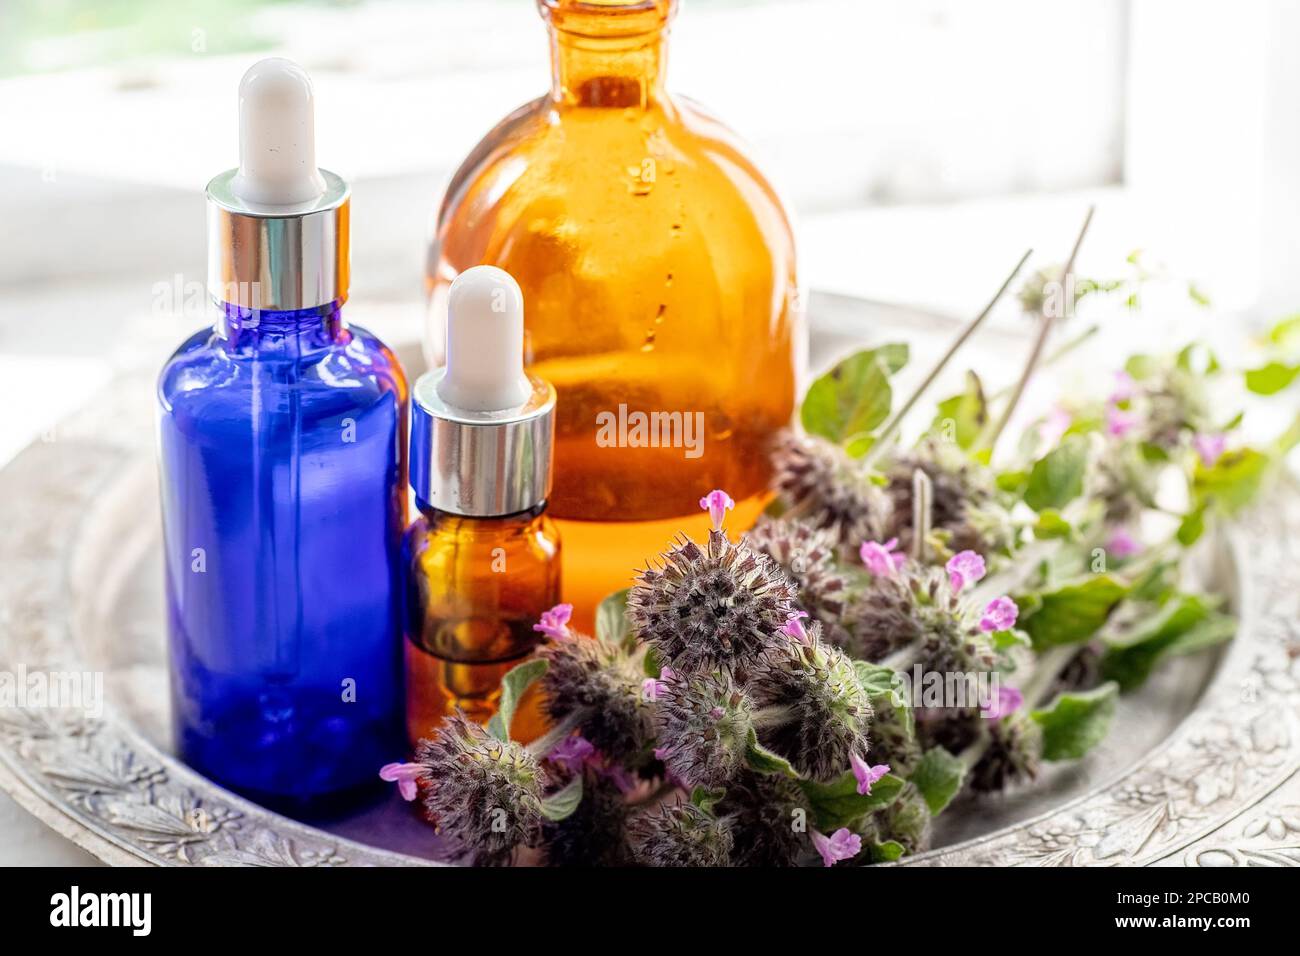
x,y
278,136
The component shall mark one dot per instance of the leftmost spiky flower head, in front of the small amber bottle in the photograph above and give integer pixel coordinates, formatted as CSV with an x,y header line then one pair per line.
x,y
484,794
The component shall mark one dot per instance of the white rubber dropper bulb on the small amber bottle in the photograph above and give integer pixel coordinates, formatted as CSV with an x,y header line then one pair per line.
x,y
486,343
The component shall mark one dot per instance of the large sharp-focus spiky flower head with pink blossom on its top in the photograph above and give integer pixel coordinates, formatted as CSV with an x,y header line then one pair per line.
x,y
713,608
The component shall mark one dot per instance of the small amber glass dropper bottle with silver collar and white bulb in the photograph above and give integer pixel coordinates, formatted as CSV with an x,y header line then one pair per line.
x,y
483,559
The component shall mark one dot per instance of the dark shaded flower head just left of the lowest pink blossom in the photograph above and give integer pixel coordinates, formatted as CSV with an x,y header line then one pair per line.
x,y
770,820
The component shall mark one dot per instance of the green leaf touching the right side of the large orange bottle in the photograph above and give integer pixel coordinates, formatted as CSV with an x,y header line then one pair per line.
x,y
855,397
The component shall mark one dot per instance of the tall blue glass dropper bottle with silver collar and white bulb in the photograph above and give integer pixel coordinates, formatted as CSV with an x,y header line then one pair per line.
x,y
283,436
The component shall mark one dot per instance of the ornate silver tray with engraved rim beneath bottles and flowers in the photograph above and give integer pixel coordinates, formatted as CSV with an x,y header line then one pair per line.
x,y
1203,767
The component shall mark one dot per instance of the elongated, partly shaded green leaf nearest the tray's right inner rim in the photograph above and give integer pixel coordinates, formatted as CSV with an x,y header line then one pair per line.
x,y
1181,626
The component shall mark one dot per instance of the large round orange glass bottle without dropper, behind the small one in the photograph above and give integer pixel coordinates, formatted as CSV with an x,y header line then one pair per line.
x,y
660,271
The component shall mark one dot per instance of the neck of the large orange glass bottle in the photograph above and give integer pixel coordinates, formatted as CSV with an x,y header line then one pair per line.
x,y
608,54
